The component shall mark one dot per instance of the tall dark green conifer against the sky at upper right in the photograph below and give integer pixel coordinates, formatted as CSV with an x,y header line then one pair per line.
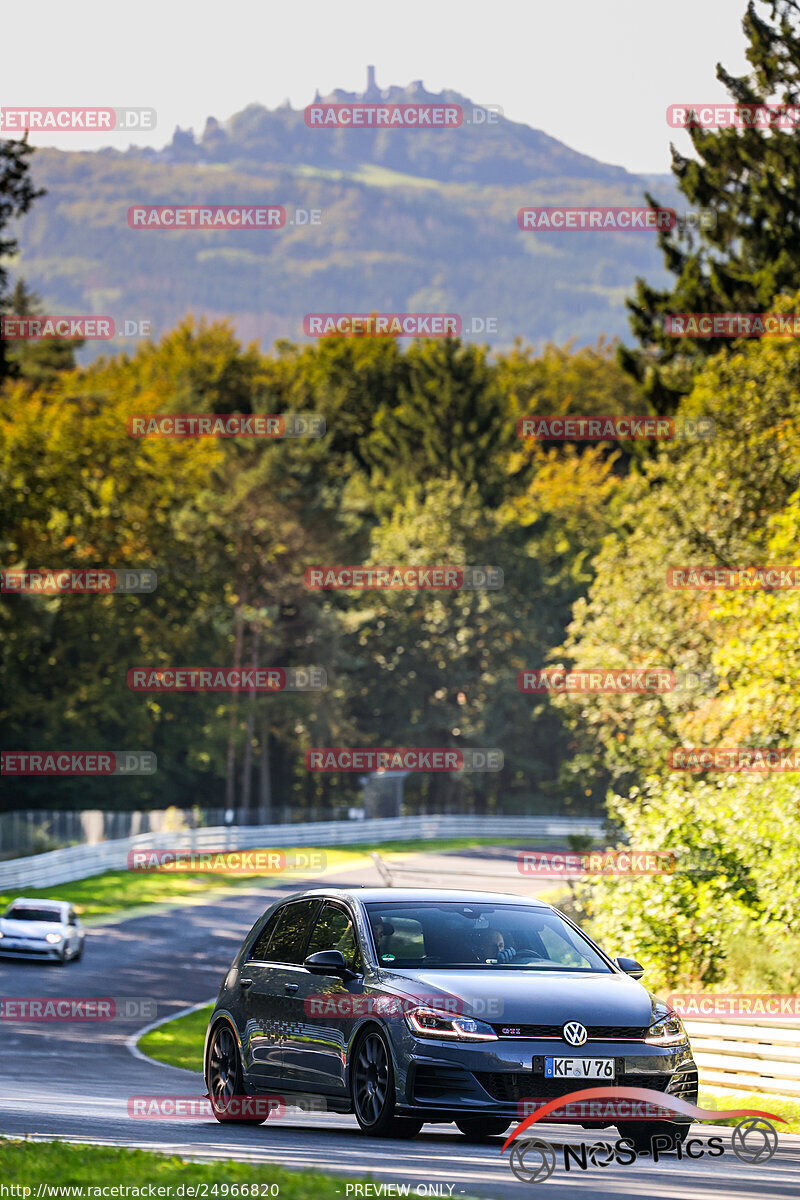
x,y
749,179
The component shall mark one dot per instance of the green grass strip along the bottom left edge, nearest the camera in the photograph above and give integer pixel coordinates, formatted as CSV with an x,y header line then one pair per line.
x,y
31,1163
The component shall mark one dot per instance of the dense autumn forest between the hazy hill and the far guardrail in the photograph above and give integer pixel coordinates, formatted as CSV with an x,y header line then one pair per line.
x,y
420,465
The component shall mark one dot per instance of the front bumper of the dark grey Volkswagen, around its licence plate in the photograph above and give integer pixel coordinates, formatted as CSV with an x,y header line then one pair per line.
x,y
498,1078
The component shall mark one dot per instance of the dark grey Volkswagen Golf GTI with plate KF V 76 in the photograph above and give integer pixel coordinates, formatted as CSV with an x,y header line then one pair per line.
x,y
407,1006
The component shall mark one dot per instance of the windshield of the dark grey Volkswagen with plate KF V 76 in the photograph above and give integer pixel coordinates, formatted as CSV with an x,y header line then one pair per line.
x,y
491,937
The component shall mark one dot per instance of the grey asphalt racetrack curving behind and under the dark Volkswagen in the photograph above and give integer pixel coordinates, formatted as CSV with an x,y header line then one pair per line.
x,y
74,1081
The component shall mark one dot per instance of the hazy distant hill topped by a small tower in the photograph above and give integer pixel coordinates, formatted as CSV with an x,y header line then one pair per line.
x,y
412,221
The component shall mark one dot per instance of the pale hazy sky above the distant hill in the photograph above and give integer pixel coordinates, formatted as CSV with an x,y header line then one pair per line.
x,y
598,75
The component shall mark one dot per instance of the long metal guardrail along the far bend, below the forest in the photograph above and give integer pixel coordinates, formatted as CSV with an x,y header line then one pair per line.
x,y
82,862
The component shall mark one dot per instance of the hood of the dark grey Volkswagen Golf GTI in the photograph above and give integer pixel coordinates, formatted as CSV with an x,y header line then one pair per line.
x,y
527,998
